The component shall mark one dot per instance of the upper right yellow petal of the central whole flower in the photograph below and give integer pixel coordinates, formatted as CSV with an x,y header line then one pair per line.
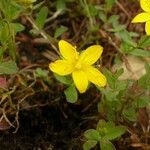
x,y
91,54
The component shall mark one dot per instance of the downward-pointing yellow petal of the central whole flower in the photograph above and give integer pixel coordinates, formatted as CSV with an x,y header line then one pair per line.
x,y
80,80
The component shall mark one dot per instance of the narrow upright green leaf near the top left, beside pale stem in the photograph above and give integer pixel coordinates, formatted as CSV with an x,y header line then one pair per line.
x,y
41,17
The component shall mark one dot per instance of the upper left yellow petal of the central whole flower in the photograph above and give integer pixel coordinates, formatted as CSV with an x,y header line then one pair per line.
x,y
68,51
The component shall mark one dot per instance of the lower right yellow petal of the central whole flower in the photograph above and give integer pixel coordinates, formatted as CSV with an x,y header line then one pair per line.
x,y
95,76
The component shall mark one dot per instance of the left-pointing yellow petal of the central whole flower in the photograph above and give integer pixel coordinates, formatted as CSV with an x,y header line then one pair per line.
x,y
61,67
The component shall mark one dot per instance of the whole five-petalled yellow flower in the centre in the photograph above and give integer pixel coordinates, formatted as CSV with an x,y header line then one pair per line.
x,y
79,65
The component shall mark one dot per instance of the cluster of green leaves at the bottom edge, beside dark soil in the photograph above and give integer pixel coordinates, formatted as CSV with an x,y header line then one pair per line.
x,y
103,134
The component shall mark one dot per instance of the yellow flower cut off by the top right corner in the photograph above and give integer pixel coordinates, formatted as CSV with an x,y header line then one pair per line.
x,y
144,16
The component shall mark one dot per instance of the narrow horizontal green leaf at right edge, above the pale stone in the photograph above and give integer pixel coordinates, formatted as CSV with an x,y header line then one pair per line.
x,y
140,52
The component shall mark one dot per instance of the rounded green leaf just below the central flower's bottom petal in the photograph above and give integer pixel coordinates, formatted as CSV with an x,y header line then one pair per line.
x,y
71,94
